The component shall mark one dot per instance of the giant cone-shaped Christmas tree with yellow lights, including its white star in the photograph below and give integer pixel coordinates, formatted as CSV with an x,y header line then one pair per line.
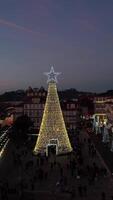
x,y
53,131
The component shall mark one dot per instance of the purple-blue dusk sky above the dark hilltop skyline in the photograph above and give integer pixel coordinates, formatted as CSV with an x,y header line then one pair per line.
x,y
75,36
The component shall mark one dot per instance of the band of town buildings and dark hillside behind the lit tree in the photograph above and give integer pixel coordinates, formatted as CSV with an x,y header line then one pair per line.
x,y
31,103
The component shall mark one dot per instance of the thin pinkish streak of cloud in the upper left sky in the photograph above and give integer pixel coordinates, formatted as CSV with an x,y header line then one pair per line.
x,y
16,26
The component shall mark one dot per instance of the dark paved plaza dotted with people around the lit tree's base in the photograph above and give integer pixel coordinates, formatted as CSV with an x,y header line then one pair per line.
x,y
79,175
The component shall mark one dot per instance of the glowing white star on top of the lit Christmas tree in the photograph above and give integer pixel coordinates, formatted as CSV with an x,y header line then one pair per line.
x,y
52,75
